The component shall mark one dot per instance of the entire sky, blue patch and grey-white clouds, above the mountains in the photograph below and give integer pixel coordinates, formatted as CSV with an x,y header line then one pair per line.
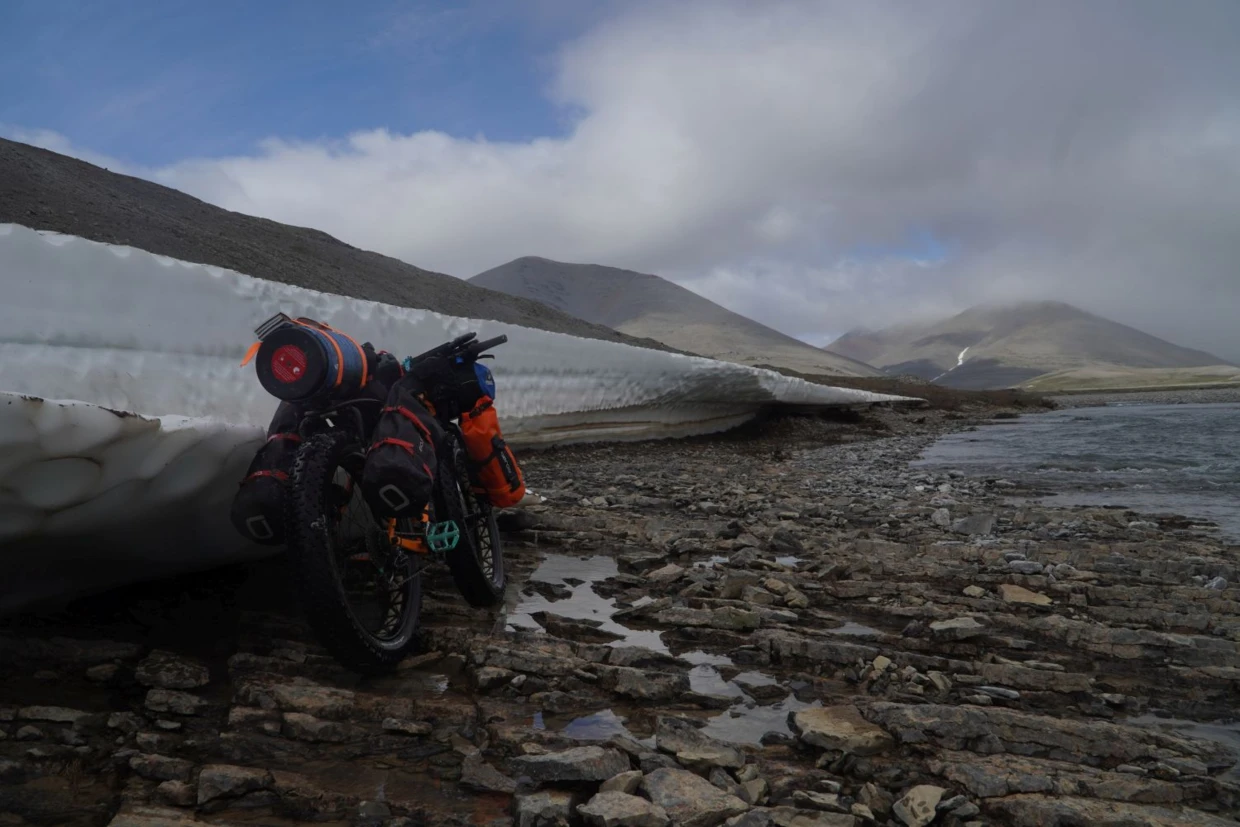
x,y
815,166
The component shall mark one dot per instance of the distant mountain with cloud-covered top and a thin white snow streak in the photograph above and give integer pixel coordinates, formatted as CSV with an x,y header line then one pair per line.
x,y
995,347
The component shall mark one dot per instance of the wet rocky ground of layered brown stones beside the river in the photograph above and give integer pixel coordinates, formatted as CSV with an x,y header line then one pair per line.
x,y
788,627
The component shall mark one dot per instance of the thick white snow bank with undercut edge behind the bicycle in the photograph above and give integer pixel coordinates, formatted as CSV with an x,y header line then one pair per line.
x,y
117,329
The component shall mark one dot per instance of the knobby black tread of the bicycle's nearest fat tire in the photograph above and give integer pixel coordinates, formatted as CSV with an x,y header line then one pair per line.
x,y
322,593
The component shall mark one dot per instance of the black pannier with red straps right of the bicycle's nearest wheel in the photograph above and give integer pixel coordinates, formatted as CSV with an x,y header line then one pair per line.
x,y
399,477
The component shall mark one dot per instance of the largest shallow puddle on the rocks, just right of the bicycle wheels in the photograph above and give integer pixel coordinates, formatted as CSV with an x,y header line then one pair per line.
x,y
578,576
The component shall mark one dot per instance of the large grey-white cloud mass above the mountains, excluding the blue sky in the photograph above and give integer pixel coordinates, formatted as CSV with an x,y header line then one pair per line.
x,y
761,153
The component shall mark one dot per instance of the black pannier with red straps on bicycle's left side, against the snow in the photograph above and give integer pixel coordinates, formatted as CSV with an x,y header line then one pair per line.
x,y
259,506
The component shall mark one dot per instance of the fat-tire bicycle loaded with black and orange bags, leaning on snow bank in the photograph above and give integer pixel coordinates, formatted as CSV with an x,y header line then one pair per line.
x,y
375,469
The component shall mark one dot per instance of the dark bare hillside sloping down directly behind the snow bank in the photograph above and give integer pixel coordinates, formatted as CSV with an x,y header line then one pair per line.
x,y
45,190
